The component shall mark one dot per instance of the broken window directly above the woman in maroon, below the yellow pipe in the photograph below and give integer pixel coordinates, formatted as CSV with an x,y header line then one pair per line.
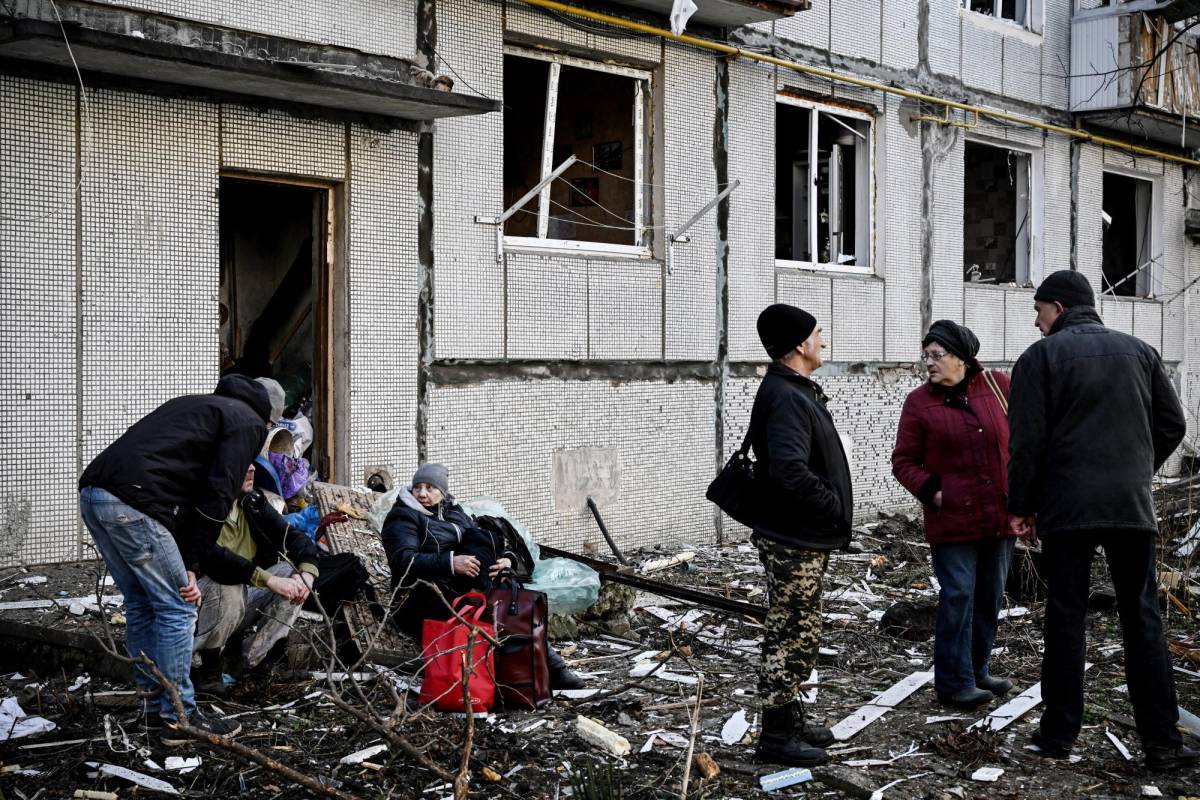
x,y
997,215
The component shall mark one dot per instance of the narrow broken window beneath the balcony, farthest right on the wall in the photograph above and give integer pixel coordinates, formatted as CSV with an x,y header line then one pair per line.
x,y
1129,237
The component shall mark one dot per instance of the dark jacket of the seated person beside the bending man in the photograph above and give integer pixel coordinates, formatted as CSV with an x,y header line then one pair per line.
x,y
275,542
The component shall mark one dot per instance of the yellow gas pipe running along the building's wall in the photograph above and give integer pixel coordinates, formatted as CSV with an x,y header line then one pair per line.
x,y
739,53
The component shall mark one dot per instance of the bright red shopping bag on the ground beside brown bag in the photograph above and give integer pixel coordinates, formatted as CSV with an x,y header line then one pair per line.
x,y
445,651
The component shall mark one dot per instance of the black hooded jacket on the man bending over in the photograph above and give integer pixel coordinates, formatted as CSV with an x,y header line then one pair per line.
x,y
184,464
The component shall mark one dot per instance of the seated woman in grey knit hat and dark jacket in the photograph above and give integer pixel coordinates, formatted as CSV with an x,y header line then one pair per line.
x,y
428,537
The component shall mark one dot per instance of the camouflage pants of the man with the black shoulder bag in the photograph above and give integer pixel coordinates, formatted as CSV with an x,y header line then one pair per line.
x,y
794,618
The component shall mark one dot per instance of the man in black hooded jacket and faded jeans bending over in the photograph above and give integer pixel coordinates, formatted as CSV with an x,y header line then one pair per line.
x,y
154,502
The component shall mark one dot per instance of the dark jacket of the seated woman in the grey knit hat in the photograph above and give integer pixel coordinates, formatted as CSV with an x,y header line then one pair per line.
x,y
422,545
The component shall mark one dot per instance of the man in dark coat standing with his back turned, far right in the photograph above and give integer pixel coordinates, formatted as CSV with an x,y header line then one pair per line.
x,y
1094,417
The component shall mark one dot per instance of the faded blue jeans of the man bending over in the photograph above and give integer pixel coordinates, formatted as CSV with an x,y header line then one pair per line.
x,y
145,562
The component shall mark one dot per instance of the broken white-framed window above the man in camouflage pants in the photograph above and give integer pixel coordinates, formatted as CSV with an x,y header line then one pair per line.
x,y
823,187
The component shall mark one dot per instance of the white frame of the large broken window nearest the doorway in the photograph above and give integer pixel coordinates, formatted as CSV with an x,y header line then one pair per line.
x,y
643,222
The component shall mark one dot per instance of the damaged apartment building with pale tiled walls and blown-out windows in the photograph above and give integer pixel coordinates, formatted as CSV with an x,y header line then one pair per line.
x,y
530,240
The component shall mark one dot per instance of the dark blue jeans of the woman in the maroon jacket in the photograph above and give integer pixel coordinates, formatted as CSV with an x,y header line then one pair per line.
x,y
973,576
